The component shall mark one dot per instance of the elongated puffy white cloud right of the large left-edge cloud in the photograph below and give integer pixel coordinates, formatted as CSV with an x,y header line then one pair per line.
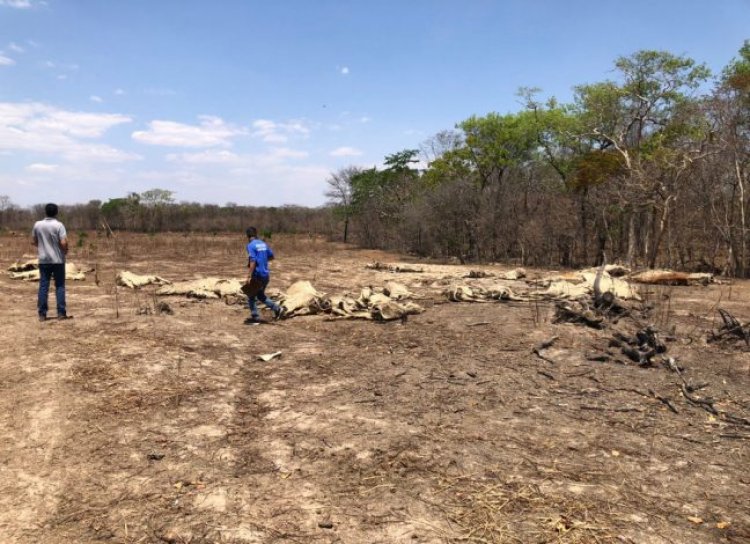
x,y
212,132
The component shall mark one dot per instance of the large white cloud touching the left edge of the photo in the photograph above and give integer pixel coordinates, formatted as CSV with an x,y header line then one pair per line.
x,y
69,135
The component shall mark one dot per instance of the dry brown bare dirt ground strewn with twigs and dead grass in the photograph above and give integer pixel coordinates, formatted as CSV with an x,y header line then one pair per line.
x,y
122,427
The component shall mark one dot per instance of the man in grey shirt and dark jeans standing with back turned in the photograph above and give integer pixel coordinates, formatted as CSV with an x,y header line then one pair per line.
x,y
51,240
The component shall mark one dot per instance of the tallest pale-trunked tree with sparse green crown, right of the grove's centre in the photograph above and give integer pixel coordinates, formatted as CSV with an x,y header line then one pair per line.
x,y
638,119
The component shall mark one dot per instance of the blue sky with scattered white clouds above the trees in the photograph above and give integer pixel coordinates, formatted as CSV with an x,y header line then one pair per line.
x,y
257,102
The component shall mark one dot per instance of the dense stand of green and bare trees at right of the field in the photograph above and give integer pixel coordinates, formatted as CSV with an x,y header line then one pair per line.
x,y
650,169
